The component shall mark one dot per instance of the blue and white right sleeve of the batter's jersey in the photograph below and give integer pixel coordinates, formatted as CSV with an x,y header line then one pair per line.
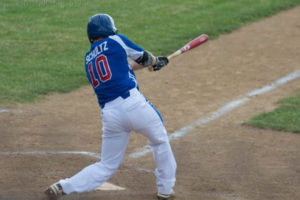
x,y
132,50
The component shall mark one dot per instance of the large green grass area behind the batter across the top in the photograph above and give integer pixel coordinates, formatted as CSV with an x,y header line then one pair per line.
x,y
43,42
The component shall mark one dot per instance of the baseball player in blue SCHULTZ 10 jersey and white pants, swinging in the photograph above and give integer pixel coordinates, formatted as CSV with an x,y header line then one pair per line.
x,y
124,109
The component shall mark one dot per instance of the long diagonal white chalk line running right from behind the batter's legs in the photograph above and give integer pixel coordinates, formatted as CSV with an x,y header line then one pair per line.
x,y
221,111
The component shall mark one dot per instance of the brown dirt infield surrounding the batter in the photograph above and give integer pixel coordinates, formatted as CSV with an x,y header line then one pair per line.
x,y
221,160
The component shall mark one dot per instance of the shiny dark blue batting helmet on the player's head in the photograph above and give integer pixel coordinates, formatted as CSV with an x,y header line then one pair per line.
x,y
100,25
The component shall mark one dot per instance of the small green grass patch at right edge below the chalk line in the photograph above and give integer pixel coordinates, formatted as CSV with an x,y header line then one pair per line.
x,y
284,118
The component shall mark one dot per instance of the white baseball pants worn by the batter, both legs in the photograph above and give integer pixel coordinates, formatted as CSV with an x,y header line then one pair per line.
x,y
121,116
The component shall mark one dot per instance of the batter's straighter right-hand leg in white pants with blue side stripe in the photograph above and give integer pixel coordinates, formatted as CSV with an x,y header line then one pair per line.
x,y
147,121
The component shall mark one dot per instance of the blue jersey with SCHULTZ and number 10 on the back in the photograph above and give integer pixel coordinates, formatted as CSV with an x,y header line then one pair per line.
x,y
107,67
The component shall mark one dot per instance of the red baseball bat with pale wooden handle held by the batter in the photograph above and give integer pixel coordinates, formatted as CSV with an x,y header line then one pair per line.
x,y
190,45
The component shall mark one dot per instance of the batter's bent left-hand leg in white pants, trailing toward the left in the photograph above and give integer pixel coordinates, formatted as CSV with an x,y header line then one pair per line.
x,y
114,143
